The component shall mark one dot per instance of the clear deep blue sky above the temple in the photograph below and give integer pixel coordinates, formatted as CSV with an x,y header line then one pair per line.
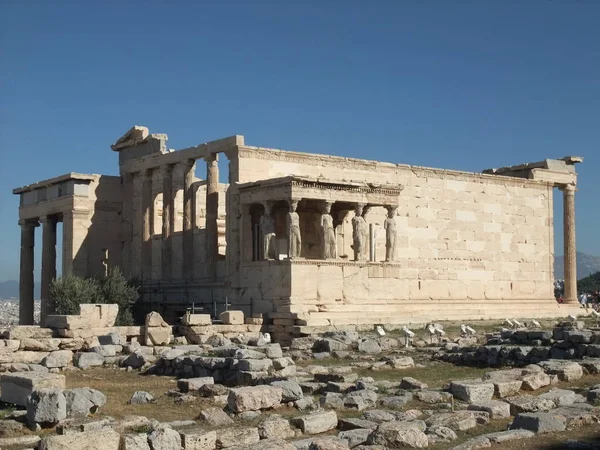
x,y
463,84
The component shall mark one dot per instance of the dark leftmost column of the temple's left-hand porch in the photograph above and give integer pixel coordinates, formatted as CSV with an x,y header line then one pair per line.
x,y
26,272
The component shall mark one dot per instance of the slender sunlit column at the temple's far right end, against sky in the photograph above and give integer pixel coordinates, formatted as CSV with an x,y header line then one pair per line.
x,y
570,244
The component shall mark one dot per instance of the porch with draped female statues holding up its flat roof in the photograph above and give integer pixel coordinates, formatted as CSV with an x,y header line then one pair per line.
x,y
302,218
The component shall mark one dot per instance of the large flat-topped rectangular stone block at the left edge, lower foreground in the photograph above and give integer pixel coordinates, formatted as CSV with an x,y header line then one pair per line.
x,y
16,387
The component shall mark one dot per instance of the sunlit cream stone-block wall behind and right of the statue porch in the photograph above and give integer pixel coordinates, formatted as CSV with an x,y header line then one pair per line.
x,y
461,237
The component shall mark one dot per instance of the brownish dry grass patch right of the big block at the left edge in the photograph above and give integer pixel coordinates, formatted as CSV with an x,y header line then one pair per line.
x,y
118,386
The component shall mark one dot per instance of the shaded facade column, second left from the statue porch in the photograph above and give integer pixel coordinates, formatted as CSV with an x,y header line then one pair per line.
x,y
189,214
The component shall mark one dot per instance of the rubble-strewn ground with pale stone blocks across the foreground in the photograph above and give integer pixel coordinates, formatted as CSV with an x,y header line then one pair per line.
x,y
336,391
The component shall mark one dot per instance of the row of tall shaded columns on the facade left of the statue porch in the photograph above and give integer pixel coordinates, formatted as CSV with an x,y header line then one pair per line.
x,y
178,216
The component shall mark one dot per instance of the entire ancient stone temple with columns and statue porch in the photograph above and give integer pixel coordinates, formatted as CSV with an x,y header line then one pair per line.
x,y
306,240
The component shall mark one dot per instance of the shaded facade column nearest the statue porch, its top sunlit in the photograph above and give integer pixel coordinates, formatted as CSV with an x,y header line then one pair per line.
x,y
212,214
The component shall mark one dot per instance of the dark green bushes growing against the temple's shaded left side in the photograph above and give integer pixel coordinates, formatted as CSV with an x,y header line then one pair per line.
x,y
69,292
